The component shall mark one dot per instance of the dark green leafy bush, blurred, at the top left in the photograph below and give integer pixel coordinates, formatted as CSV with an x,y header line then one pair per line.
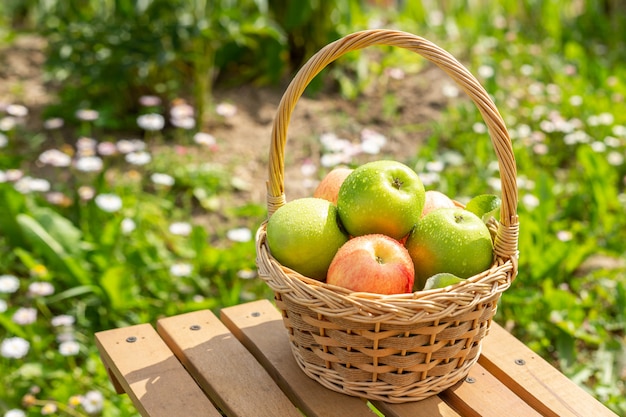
x,y
155,47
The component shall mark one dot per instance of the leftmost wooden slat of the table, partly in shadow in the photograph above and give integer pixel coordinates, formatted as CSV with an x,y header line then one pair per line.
x,y
150,374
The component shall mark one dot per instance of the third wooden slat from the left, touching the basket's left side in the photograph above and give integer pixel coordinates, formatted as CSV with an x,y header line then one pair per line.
x,y
258,325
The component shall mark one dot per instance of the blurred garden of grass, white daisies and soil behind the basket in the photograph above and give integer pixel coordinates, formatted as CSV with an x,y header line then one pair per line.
x,y
133,145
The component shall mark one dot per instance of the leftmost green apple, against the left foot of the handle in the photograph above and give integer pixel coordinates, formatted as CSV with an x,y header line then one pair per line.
x,y
304,235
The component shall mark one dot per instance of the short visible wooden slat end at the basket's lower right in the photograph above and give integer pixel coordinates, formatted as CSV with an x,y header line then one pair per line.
x,y
486,396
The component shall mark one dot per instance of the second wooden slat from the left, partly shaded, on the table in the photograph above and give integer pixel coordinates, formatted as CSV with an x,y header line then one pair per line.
x,y
223,367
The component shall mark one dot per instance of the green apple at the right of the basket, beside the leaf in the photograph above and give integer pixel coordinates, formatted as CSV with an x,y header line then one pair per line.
x,y
451,240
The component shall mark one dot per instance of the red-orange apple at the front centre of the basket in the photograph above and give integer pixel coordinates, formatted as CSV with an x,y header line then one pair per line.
x,y
373,263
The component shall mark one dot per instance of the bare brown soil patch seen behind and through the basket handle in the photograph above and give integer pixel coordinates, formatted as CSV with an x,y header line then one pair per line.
x,y
245,138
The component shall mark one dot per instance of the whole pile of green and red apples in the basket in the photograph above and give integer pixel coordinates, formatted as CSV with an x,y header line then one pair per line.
x,y
375,229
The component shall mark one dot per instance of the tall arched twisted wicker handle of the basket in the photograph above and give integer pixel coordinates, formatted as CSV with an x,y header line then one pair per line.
x,y
505,246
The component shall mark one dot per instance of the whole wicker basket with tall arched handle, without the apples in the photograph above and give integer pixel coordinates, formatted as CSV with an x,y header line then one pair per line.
x,y
394,348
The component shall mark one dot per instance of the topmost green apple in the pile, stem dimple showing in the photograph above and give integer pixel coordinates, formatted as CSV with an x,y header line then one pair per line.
x,y
385,197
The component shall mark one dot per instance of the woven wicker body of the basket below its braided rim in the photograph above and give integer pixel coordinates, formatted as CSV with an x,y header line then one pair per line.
x,y
386,361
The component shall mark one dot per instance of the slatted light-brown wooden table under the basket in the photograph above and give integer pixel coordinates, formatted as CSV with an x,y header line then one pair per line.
x,y
241,364
